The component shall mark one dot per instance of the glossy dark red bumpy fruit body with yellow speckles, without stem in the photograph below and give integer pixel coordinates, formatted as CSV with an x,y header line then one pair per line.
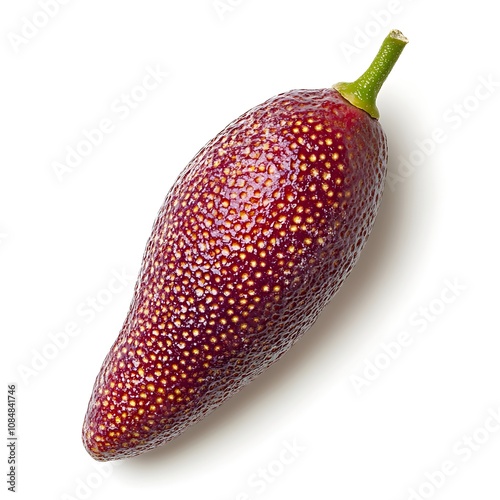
x,y
255,237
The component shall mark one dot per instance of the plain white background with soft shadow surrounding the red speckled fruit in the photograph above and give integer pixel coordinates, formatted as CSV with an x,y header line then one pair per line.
x,y
428,275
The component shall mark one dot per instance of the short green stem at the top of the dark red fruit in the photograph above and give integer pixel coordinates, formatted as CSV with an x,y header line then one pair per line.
x,y
362,93
